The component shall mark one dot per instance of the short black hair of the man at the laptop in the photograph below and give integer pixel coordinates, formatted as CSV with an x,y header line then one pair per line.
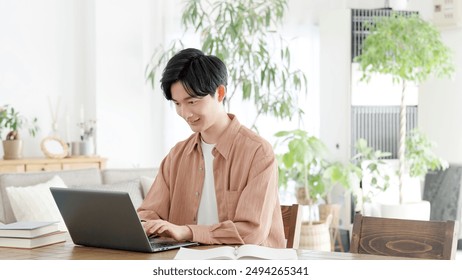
x,y
200,74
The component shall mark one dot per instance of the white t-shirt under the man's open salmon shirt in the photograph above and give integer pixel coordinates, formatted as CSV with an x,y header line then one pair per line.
x,y
208,212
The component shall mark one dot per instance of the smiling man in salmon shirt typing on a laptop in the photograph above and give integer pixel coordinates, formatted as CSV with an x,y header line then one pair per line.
x,y
219,186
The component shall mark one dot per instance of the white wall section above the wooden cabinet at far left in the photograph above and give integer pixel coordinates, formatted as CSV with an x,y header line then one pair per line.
x,y
37,61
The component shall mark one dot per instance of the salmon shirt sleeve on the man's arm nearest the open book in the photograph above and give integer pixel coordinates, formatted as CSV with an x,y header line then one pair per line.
x,y
255,210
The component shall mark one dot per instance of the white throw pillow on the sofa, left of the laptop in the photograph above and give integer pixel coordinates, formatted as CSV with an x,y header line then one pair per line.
x,y
35,203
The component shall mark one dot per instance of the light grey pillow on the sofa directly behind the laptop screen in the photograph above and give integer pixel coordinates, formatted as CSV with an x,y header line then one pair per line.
x,y
132,187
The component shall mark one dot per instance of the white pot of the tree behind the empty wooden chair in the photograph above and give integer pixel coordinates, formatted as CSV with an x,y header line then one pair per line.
x,y
410,210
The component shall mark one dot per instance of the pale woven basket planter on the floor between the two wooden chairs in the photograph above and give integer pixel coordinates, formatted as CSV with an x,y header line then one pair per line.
x,y
316,236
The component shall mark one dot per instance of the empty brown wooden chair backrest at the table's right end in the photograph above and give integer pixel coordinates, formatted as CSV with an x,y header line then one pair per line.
x,y
404,238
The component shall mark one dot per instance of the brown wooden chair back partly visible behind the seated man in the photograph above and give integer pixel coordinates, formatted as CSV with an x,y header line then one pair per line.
x,y
292,220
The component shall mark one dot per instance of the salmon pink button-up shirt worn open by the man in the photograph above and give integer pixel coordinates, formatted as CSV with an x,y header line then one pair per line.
x,y
246,186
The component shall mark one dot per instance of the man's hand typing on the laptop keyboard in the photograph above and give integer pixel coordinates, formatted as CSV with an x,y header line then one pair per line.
x,y
166,229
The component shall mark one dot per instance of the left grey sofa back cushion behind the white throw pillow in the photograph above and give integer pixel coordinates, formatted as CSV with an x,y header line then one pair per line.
x,y
90,176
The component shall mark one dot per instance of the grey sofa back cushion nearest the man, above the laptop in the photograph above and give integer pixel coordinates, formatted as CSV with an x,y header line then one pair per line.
x,y
114,175
